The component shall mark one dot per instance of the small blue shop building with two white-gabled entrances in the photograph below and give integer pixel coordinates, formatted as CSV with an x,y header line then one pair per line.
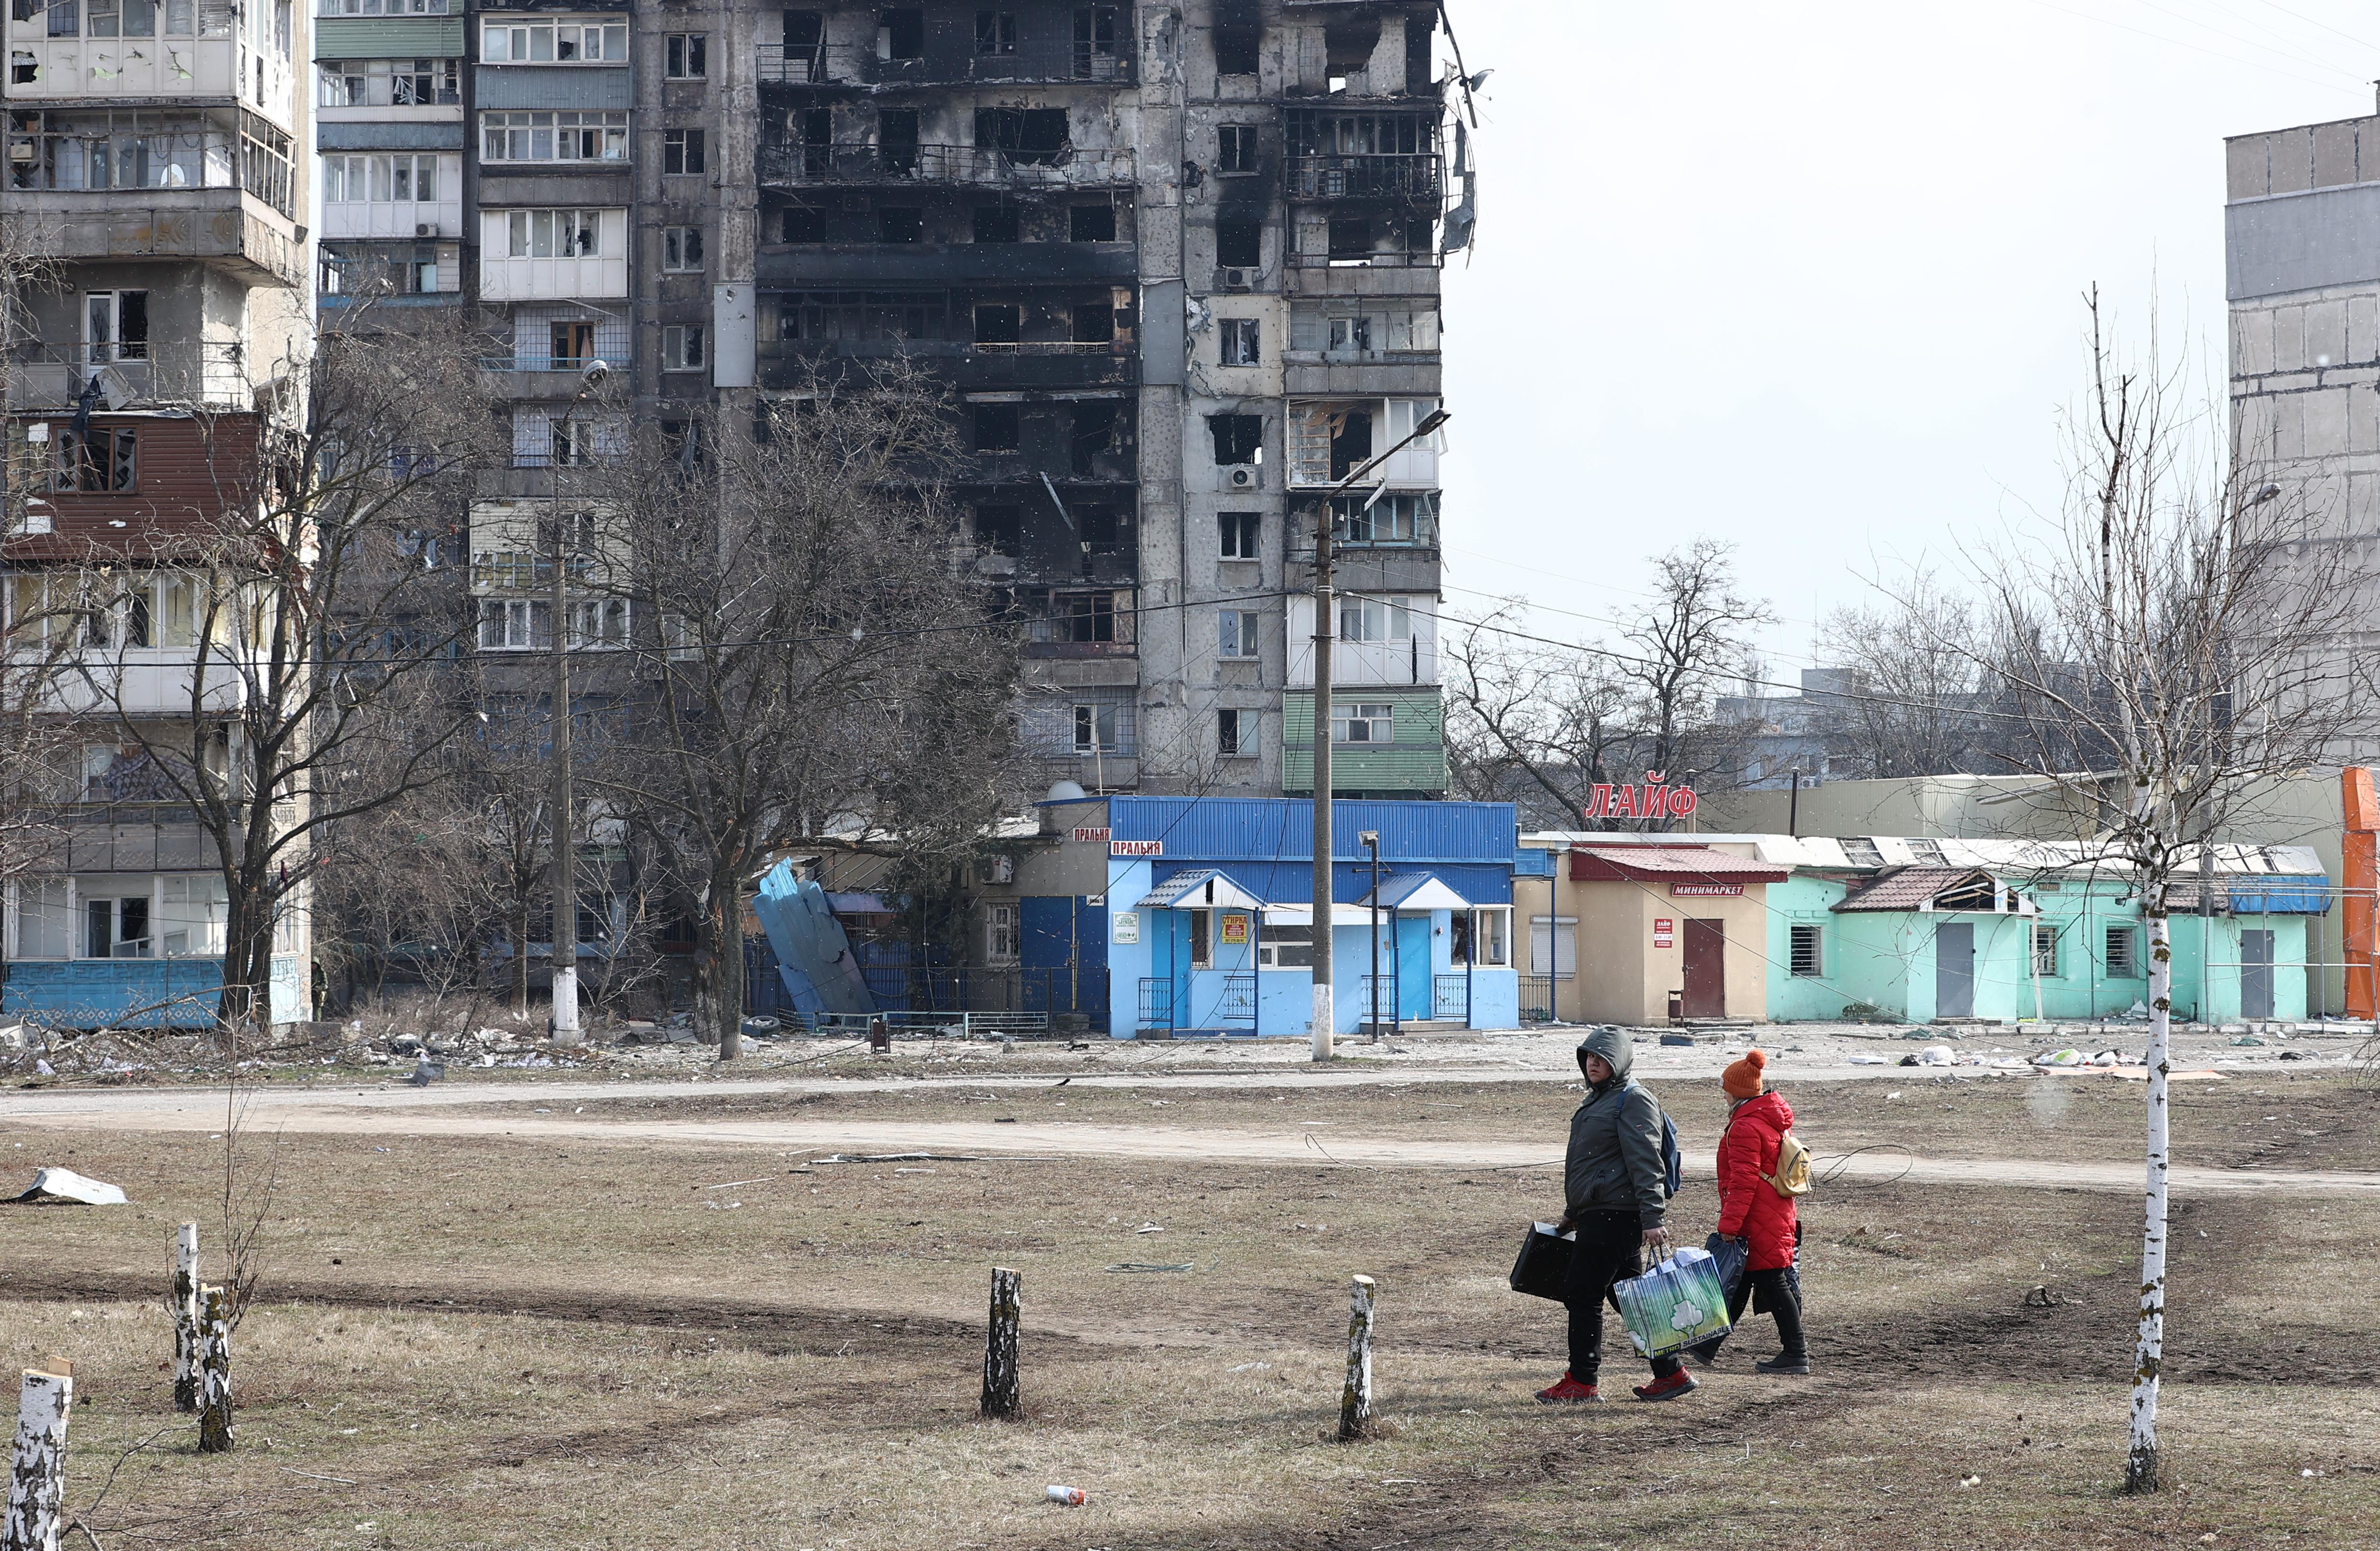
x,y
1201,912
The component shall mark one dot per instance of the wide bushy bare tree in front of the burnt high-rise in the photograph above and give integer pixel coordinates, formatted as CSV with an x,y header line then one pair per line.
x,y
808,658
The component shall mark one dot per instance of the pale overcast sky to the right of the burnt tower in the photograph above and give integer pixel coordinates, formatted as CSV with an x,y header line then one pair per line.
x,y
1805,277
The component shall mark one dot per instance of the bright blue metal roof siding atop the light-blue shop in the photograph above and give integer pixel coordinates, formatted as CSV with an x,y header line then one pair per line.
x,y
1220,829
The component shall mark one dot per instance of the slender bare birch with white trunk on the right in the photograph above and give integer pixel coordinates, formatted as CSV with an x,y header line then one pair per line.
x,y
2191,632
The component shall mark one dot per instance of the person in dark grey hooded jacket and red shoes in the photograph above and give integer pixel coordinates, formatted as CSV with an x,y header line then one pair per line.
x,y
1617,1203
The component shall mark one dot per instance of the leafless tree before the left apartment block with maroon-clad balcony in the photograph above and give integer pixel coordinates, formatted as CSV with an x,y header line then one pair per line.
x,y
311,598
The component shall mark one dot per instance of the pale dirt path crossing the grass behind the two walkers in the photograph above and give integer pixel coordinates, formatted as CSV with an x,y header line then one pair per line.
x,y
342,1114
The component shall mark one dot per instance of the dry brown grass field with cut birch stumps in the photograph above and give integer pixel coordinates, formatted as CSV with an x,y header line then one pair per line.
x,y
527,1345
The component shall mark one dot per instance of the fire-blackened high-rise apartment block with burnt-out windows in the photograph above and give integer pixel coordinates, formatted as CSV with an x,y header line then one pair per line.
x,y
1179,265
